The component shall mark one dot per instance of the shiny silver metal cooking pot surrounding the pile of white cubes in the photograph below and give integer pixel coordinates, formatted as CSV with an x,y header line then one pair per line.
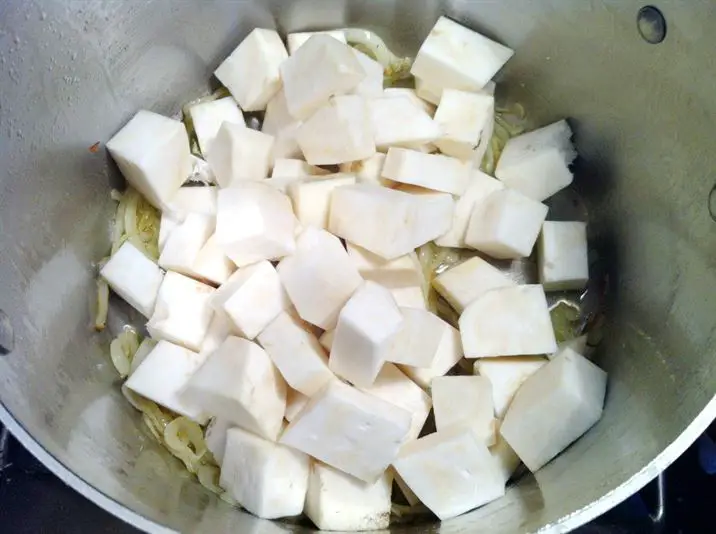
x,y
73,72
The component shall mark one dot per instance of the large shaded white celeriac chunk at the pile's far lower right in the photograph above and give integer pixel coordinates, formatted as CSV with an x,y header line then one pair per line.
x,y
554,407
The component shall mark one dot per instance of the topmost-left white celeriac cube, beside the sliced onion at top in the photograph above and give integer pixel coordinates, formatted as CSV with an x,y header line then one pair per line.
x,y
251,72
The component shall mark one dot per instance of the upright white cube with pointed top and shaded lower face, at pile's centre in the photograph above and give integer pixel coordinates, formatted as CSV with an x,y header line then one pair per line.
x,y
363,335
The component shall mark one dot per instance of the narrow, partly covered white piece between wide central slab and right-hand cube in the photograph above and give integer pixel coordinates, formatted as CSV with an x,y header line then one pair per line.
x,y
479,187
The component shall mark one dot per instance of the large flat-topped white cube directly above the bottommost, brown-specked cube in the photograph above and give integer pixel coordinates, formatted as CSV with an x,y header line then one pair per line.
x,y
352,431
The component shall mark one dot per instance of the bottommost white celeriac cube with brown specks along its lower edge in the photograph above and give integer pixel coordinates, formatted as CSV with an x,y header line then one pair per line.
x,y
336,501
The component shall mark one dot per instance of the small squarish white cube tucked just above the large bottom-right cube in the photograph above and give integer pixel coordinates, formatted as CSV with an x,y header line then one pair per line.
x,y
465,401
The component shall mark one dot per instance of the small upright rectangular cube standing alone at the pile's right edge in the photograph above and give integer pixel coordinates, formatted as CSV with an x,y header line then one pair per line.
x,y
563,259
